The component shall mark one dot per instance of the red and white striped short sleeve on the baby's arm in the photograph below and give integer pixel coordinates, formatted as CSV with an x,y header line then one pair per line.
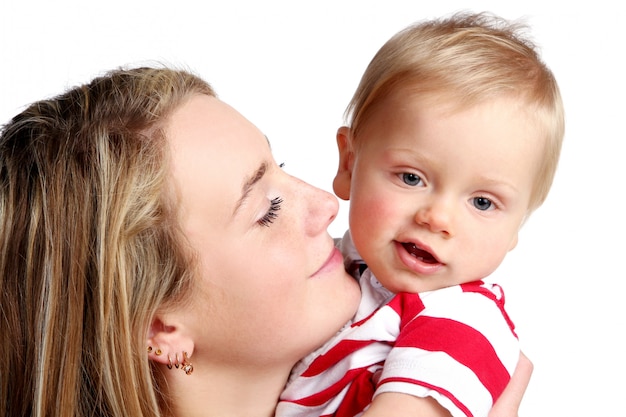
x,y
456,345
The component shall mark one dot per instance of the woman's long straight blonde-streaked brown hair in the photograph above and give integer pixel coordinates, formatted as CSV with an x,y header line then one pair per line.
x,y
89,245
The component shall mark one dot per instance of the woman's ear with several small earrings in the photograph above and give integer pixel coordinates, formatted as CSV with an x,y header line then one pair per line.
x,y
166,341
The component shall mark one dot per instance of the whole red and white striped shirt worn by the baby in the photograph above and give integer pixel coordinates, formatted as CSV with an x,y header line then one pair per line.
x,y
456,345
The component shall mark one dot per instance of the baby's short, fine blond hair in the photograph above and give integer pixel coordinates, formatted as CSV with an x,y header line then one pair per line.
x,y
467,58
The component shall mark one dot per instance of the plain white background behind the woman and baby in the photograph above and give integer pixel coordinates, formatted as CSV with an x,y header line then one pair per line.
x,y
291,68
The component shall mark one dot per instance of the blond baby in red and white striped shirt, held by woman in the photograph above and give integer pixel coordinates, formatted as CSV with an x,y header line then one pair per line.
x,y
454,138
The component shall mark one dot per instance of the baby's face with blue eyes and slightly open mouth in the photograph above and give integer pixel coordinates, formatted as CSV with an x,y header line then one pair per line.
x,y
437,194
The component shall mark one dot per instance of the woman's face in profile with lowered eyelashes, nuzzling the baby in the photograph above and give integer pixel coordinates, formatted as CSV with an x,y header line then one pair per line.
x,y
272,286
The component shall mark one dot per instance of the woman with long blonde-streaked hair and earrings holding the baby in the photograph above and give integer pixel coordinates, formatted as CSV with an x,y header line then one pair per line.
x,y
155,260
